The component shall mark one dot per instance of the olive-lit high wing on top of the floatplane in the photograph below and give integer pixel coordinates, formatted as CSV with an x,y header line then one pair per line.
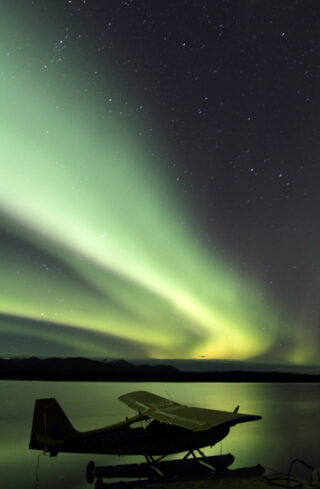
x,y
195,419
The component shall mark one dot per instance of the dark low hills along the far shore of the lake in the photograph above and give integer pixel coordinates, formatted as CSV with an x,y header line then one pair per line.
x,y
84,369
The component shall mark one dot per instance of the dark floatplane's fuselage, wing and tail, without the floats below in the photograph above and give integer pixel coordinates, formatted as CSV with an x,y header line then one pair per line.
x,y
160,427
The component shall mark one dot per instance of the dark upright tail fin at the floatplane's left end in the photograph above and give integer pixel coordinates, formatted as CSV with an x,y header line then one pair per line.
x,y
50,426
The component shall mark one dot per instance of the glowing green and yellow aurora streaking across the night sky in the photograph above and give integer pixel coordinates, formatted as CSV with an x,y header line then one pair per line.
x,y
98,239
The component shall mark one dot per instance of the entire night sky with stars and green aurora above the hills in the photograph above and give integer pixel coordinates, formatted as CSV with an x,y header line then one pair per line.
x,y
159,179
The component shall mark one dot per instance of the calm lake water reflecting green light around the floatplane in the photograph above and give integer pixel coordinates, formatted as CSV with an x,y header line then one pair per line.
x,y
289,428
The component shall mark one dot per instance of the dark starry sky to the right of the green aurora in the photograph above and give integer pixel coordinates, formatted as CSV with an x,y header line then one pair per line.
x,y
233,89
